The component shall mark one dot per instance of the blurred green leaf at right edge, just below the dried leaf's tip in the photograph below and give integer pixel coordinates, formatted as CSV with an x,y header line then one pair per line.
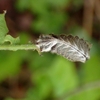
x,y
92,69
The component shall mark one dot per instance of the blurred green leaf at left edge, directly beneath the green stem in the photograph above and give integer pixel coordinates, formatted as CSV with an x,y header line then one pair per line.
x,y
9,63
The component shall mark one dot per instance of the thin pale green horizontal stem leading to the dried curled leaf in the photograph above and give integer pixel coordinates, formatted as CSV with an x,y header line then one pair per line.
x,y
18,47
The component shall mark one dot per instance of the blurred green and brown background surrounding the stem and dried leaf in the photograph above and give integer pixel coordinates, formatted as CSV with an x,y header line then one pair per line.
x,y
25,75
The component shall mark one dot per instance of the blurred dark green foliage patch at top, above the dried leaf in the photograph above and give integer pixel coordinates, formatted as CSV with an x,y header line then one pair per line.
x,y
49,17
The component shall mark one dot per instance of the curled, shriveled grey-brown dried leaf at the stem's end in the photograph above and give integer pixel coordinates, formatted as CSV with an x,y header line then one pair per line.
x,y
70,47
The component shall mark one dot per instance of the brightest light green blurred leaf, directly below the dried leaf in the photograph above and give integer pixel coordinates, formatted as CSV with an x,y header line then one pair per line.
x,y
63,76
